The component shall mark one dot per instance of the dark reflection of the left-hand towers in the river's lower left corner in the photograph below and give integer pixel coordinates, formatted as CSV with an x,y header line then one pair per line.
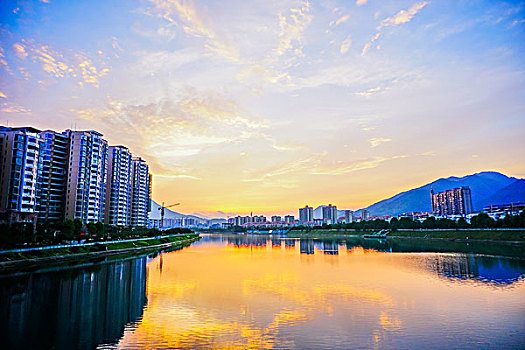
x,y
79,308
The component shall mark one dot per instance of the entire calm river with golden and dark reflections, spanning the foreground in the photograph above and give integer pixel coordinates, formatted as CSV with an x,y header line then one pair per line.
x,y
236,291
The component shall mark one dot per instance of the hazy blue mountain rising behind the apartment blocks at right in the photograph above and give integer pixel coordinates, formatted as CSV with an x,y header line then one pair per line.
x,y
483,186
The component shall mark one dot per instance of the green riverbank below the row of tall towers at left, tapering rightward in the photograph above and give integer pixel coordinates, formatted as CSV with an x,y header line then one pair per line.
x,y
12,262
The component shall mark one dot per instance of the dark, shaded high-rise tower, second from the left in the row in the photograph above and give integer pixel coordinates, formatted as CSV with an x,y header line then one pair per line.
x,y
51,192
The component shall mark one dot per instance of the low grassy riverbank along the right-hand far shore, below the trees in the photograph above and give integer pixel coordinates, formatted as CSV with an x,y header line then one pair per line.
x,y
500,236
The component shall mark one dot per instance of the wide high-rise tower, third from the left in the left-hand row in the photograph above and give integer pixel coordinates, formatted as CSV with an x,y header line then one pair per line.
x,y
87,172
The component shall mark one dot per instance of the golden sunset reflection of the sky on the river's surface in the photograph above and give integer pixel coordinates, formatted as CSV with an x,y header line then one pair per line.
x,y
268,295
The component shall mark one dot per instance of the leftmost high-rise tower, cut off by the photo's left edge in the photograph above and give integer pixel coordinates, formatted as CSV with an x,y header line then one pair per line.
x,y
19,170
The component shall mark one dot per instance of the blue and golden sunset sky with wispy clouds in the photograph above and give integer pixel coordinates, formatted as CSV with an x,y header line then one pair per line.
x,y
267,106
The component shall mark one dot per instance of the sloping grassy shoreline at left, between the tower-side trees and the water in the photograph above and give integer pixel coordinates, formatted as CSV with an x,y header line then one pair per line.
x,y
26,265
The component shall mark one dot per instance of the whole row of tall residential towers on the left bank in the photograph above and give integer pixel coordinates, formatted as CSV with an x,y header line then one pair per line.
x,y
70,175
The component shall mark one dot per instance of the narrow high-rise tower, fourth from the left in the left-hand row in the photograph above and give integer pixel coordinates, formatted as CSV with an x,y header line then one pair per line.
x,y
118,193
